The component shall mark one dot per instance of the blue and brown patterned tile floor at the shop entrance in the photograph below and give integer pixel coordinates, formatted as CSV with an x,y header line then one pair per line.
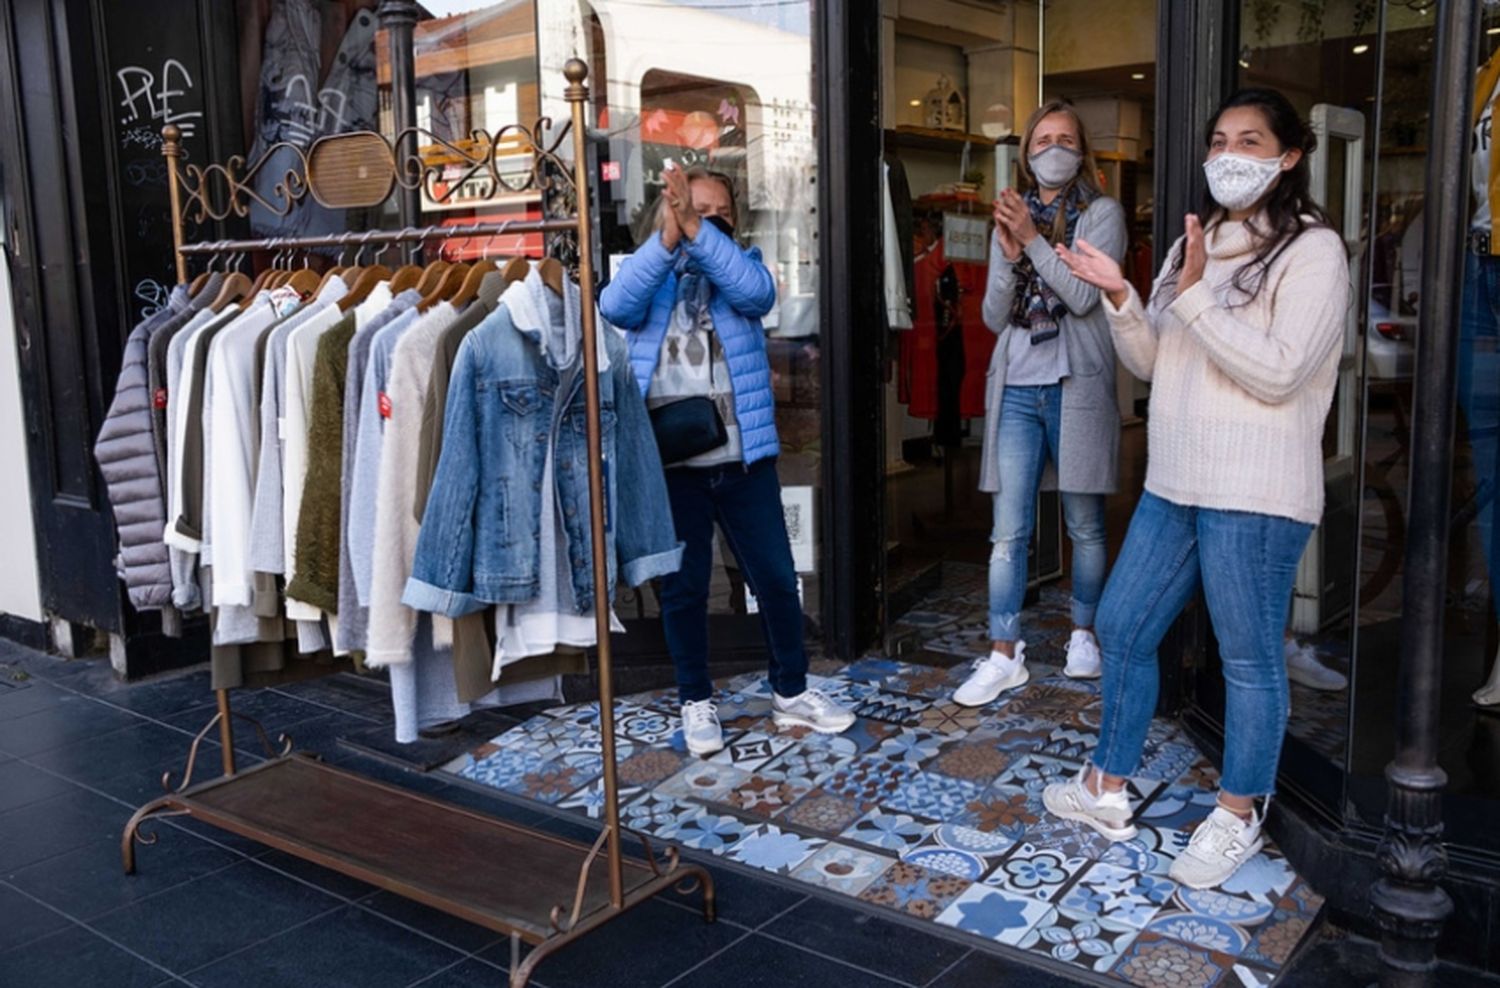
x,y
935,812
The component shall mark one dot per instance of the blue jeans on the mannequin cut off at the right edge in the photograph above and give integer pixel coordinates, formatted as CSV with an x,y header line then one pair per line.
x,y
1480,395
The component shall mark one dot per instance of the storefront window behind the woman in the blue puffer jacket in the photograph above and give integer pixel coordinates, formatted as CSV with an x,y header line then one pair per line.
x,y
728,88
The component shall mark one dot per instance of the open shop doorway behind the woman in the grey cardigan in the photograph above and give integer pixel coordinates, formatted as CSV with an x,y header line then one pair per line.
x,y
955,104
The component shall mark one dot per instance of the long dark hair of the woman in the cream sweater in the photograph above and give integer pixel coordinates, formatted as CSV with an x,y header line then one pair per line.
x,y
1289,209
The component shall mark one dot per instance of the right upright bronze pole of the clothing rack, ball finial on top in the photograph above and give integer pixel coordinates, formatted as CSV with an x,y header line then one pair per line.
x,y
577,71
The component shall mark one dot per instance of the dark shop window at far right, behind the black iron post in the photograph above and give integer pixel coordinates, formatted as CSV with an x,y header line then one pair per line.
x,y
1469,750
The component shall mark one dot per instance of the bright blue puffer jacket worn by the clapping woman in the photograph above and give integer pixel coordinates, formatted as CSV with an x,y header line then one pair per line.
x,y
641,296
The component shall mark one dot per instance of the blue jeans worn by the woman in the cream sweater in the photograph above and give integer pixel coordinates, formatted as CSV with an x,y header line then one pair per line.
x,y
1247,564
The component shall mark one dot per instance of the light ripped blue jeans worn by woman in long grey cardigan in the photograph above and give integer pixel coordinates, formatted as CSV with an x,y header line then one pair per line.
x,y
1031,428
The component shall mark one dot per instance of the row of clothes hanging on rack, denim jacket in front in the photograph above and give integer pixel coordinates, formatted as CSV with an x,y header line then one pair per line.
x,y
272,476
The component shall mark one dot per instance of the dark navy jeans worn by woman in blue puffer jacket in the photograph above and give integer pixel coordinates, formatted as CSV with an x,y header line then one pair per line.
x,y
748,506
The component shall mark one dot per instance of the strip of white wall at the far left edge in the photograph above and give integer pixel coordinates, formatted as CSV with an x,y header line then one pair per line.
x,y
20,588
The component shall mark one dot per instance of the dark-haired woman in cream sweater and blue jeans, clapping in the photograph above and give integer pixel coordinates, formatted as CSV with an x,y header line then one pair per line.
x,y
1241,341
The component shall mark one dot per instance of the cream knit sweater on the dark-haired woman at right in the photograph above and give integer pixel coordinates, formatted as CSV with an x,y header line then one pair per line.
x,y
1241,391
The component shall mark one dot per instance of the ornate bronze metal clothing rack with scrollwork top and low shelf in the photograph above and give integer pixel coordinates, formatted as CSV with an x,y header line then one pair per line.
x,y
517,881
